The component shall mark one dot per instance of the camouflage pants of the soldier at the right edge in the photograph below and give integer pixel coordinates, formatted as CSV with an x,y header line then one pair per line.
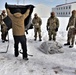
x,y
71,36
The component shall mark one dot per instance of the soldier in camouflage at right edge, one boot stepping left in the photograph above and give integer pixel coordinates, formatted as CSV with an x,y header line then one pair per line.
x,y
71,29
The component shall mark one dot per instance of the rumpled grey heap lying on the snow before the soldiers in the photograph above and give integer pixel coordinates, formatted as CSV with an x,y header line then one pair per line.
x,y
51,47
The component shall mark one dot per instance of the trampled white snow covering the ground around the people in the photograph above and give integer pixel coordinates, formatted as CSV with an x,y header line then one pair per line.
x,y
40,63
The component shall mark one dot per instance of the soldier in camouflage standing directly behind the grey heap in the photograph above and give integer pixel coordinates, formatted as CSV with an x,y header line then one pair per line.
x,y
52,26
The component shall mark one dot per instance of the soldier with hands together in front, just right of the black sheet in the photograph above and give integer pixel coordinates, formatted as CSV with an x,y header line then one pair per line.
x,y
37,26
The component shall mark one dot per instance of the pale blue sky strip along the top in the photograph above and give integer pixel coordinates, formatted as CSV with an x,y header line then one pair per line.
x,y
50,3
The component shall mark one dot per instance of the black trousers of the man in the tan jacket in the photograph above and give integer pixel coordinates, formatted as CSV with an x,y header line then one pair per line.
x,y
22,40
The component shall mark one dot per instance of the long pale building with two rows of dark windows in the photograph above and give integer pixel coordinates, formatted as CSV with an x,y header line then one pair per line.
x,y
64,10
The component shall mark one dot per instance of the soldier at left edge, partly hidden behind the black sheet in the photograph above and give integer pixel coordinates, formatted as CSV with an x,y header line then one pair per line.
x,y
3,27
